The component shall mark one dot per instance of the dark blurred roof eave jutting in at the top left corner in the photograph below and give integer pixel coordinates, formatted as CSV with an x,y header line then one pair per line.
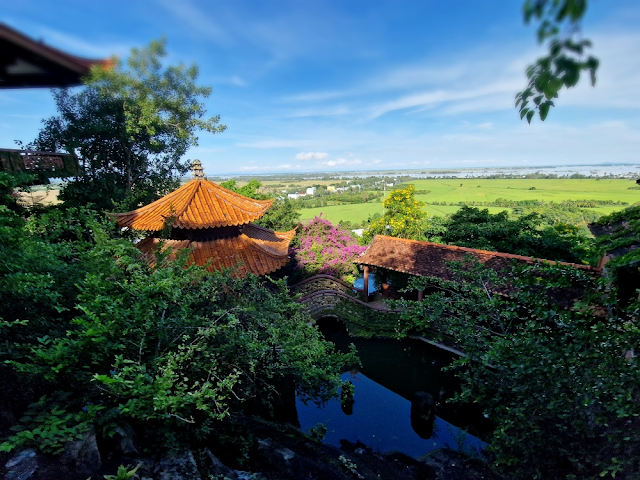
x,y
27,63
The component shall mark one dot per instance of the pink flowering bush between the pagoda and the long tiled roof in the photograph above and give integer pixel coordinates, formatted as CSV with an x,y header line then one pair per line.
x,y
323,247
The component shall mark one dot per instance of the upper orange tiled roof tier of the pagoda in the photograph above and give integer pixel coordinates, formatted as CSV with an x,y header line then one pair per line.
x,y
197,204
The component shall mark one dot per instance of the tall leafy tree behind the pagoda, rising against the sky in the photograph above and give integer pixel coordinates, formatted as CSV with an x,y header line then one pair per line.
x,y
129,128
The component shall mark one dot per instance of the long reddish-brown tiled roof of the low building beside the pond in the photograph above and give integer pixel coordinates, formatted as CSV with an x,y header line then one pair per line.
x,y
430,259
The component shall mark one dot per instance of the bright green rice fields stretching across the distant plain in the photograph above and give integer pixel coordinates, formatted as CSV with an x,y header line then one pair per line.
x,y
489,190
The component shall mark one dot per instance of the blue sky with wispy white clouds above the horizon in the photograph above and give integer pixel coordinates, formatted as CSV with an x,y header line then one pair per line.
x,y
348,85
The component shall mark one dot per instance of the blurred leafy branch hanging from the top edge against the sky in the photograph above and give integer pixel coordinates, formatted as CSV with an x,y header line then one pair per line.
x,y
561,67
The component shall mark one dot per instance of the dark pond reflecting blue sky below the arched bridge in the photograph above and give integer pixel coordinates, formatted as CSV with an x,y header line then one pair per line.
x,y
392,374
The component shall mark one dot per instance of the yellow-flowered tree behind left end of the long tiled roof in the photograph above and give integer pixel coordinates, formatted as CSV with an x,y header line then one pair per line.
x,y
403,216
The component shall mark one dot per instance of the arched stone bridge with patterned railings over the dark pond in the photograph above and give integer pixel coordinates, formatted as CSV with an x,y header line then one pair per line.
x,y
322,294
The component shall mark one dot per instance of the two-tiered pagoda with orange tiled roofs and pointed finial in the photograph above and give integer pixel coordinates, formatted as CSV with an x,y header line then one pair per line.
x,y
215,223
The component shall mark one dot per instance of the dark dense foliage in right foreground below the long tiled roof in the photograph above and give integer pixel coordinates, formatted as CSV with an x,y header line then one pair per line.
x,y
555,381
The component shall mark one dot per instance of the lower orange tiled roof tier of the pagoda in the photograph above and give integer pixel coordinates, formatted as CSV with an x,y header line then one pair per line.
x,y
256,250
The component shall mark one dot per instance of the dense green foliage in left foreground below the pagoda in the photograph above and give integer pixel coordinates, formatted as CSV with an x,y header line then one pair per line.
x,y
92,337
